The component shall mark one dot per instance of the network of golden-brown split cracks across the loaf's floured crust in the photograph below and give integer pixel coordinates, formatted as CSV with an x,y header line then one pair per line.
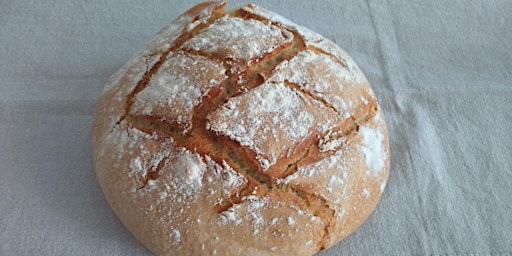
x,y
221,148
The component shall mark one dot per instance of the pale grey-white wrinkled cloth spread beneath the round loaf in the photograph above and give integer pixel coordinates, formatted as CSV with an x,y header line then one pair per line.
x,y
442,71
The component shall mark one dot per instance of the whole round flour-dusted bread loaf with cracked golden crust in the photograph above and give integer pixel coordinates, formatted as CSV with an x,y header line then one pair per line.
x,y
240,133
